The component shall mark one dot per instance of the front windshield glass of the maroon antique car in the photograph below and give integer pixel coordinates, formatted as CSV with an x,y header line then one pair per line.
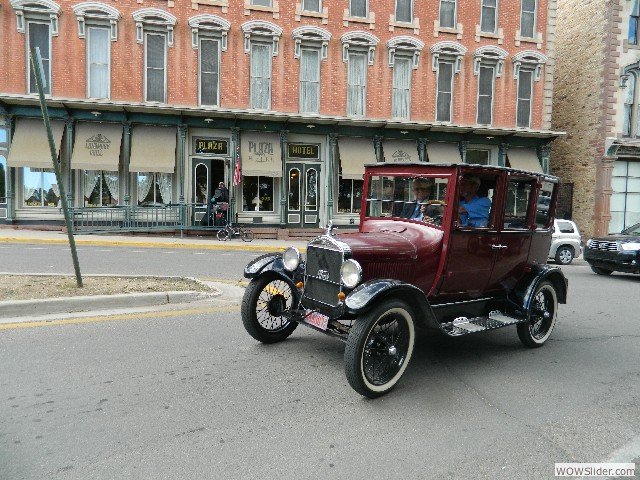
x,y
398,196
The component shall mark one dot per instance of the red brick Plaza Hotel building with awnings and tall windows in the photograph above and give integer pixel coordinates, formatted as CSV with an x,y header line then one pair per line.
x,y
156,101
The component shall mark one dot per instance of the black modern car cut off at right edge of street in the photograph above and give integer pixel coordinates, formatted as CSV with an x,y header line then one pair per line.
x,y
617,252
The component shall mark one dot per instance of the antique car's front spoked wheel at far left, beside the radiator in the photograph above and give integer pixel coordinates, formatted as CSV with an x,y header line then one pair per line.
x,y
265,304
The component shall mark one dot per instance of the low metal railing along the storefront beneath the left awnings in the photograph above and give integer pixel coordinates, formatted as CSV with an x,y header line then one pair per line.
x,y
148,218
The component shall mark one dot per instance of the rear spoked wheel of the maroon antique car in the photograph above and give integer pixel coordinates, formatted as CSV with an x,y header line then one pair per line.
x,y
542,316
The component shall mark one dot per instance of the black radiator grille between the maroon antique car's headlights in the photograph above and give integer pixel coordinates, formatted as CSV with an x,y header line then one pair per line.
x,y
322,283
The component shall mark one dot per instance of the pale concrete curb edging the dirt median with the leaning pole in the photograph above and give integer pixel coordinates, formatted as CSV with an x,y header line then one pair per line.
x,y
48,306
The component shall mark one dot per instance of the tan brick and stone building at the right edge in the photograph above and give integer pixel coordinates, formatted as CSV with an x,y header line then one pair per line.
x,y
596,95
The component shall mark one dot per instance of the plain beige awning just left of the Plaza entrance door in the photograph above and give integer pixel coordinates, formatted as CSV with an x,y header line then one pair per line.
x,y
153,149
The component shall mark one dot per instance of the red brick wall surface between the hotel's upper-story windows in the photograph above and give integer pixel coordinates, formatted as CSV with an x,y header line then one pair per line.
x,y
127,59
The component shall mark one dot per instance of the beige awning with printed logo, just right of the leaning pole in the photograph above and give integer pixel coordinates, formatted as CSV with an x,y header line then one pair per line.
x,y
97,146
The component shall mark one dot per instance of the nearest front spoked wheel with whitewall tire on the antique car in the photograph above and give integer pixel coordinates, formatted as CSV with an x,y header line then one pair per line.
x,y
379,347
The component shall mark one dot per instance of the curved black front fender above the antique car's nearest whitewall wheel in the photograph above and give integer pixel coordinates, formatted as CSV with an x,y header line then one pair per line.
x,y
365,295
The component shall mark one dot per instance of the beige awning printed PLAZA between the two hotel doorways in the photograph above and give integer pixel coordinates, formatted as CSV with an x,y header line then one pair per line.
x,y
260,154
